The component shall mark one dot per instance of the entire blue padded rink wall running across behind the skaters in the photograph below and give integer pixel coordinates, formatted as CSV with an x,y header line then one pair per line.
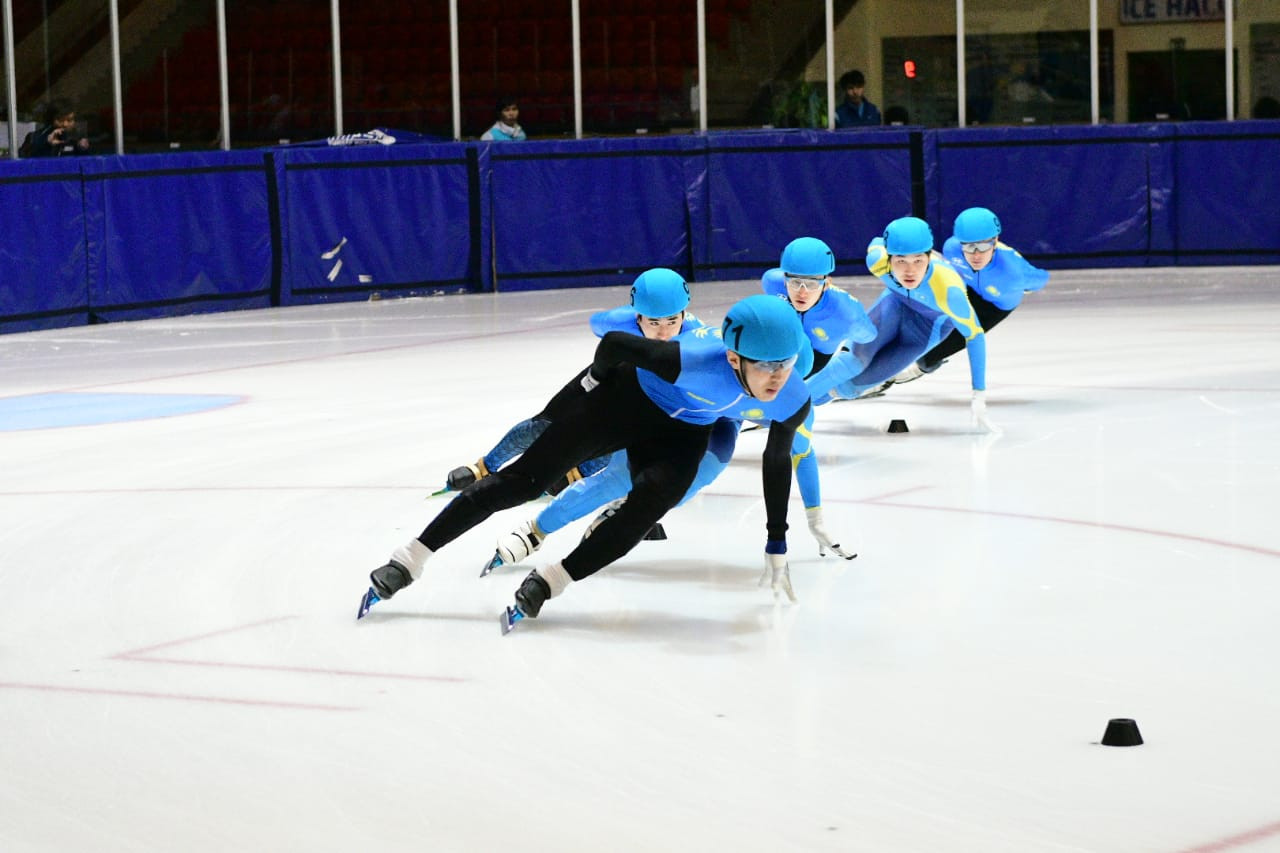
x,y
107,239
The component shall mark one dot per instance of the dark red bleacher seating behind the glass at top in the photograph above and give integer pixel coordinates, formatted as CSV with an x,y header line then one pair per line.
x,y
638,61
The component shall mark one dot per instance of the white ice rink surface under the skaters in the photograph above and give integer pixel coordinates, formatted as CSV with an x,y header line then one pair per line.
x,y
181,668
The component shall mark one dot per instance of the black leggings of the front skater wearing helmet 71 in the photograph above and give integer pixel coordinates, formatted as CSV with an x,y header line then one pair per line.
x,y
664,453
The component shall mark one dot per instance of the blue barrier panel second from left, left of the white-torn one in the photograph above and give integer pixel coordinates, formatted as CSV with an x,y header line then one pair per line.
x,y
177,234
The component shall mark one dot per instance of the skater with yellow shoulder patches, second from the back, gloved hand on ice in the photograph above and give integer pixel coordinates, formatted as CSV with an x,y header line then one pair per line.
x,y
924,302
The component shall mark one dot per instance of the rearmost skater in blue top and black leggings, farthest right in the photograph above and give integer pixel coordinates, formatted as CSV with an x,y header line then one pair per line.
x,y
996,275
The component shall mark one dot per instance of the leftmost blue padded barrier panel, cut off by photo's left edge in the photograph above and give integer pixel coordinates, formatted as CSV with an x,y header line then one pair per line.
x,y
44,266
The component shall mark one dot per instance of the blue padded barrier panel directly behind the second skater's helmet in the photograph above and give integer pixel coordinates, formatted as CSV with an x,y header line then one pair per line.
x,y
589,213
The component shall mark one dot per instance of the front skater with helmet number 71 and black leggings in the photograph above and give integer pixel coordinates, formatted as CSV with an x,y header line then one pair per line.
x,y
659,402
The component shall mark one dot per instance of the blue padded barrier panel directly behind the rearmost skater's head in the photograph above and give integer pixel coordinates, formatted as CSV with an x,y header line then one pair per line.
x,y
1067,197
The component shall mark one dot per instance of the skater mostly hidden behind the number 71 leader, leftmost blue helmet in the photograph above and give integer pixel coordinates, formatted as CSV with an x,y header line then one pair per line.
x,y
659,311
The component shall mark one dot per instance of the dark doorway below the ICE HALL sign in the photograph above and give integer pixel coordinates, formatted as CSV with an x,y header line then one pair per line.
x,y
1177,85
